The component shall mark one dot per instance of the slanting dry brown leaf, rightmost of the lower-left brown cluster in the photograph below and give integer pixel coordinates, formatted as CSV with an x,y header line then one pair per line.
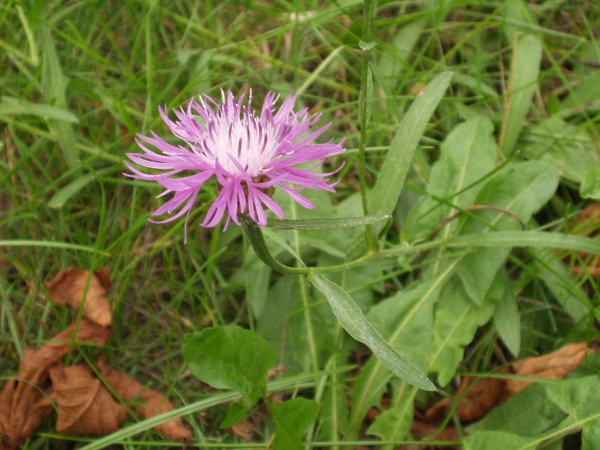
x,y
128,389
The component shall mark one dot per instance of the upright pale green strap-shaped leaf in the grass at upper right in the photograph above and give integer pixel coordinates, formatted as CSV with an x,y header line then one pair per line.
x,y
522,85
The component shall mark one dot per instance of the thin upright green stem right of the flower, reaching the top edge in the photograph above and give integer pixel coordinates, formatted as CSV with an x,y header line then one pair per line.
x,y
363,114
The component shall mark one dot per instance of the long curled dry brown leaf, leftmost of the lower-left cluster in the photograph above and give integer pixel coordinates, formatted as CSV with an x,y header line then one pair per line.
x,y
33,371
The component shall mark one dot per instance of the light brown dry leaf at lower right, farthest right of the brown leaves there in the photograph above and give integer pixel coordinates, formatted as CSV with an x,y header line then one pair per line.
x,y
555,365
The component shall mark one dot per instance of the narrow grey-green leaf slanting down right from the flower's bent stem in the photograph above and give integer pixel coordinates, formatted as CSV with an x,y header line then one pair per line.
x,y
356,324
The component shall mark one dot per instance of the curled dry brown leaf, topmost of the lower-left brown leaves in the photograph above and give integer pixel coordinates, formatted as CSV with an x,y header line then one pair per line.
x,y
68,287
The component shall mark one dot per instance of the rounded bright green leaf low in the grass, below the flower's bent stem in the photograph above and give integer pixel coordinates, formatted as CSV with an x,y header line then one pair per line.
x,y
230,358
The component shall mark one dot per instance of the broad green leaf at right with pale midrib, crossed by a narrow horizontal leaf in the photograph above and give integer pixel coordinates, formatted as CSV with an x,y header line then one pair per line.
x,y
521,188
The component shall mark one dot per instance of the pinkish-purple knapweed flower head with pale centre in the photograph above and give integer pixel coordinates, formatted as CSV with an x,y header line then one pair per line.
x,y
248,154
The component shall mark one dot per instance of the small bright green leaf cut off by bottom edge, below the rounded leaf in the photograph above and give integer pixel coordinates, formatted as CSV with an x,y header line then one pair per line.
x,y
291,420
